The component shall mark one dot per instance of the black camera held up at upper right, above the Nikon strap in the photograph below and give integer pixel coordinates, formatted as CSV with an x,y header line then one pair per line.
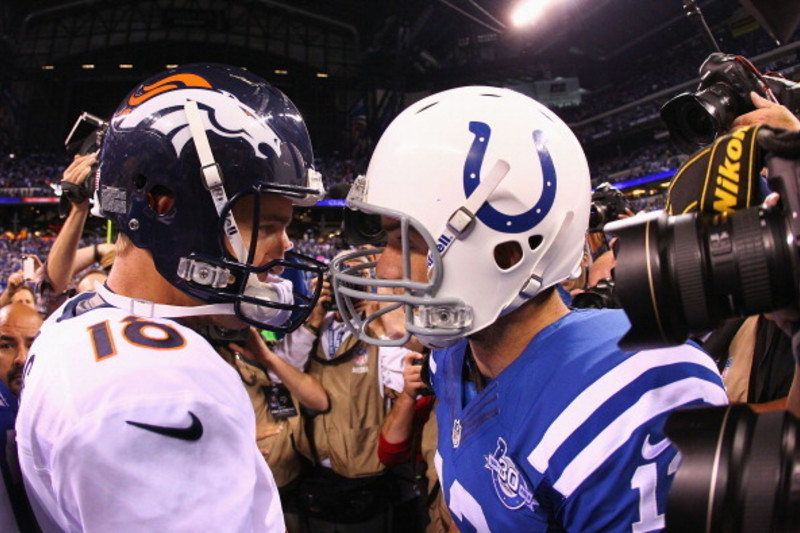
x,y
696,119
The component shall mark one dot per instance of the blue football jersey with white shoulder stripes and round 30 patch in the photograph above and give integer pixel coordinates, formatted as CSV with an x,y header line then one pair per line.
x,y
569,437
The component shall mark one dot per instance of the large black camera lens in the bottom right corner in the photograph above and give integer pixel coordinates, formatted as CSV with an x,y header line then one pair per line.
x,y
739,471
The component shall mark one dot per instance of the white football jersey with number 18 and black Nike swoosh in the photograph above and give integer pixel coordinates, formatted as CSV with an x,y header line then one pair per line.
x,y
137,424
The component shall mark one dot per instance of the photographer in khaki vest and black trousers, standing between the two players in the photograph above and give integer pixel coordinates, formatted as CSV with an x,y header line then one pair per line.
x,y
347,488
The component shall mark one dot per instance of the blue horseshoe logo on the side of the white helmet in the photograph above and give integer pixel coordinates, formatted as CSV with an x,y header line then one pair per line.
x,y
487,214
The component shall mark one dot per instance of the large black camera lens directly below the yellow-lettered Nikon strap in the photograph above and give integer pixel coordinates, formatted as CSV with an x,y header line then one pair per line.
x,y
683,274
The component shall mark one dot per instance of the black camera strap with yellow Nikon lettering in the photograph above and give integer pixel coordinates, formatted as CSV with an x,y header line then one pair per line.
x,y
721,178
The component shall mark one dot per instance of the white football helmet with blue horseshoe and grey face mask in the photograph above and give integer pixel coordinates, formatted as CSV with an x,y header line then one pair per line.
x,y
470,169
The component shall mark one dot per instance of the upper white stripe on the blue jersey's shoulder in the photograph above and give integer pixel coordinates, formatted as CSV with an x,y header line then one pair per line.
x,y
585,404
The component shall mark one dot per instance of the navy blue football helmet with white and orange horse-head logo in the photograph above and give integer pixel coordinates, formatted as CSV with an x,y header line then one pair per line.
x,y
208,136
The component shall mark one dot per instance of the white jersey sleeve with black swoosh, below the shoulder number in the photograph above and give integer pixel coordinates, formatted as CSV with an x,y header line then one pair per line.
x,y
111,475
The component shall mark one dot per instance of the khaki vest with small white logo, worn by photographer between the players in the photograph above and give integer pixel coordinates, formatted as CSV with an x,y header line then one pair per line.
x,y
347,433
